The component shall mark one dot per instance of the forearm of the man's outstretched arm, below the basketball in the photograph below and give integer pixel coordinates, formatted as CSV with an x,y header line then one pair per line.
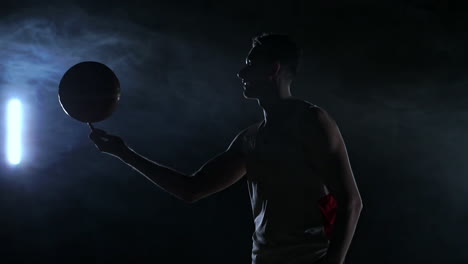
x,y
168,179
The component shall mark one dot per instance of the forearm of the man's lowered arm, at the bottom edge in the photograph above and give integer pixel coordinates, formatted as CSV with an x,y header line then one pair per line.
x,y
343,232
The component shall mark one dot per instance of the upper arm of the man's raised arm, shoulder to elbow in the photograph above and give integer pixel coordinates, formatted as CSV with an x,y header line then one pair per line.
x,y
221,171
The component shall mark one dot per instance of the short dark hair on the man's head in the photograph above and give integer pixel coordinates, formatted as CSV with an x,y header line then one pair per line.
x,y
280,47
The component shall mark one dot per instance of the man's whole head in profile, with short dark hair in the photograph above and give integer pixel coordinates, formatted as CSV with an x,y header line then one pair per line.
x,y
271,66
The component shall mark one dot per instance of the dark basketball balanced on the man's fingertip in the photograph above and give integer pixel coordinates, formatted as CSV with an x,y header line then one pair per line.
x,y
89,92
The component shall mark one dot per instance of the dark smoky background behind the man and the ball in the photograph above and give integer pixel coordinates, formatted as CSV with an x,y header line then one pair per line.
x,y
392,74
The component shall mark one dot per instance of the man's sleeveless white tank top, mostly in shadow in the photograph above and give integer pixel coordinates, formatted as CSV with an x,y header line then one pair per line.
x,y
284,194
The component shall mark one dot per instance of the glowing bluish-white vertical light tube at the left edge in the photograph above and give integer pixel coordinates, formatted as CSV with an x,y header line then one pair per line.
x,y
14,127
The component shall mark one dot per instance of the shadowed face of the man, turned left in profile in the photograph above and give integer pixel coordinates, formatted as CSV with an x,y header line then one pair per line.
x,y
257,75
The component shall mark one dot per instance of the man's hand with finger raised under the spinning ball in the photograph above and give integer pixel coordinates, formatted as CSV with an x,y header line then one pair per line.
x,y
106,143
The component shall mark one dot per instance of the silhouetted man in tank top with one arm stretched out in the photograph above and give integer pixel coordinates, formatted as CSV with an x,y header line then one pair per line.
x,y
294,160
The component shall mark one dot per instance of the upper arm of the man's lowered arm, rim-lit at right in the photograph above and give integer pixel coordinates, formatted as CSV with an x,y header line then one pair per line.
x,y
328,156
